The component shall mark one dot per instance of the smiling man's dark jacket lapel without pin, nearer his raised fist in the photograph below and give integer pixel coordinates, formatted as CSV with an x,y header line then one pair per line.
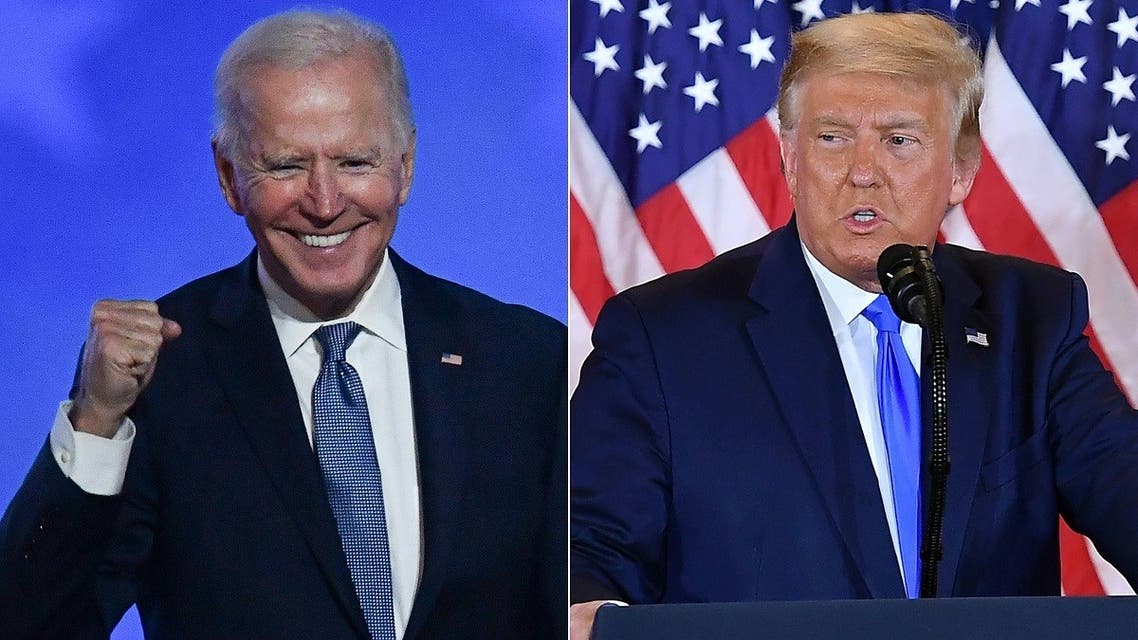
x,y
250,366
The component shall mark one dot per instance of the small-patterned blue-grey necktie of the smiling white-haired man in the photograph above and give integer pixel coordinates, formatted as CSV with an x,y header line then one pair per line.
x,y
342,433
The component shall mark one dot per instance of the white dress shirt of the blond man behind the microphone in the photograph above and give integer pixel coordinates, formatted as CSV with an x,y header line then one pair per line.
x,y
857,346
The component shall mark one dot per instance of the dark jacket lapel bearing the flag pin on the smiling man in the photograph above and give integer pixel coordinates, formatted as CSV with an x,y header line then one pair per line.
x,y
440,393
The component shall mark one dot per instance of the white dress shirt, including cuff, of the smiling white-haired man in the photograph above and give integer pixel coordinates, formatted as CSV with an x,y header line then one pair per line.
x,y
380,355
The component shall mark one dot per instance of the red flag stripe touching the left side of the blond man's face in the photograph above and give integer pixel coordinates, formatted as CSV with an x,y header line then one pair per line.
x,y
756,155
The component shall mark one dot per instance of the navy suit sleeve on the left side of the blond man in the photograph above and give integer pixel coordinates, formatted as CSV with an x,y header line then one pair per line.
x,y
620,465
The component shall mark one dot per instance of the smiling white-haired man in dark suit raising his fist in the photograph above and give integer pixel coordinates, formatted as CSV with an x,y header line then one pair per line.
x,y
321,441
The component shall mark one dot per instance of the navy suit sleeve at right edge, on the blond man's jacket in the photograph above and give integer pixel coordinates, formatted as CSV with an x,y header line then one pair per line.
x,y
1095,442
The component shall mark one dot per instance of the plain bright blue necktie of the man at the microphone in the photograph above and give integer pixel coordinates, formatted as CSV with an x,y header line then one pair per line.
x,y
900,404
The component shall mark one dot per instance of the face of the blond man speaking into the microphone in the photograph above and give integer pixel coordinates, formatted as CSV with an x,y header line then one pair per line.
x,y
871,162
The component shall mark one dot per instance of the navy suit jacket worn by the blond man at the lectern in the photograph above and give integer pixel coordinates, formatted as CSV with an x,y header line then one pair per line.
x,y
716,454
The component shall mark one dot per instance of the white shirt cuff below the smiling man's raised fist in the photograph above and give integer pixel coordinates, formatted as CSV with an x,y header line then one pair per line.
x,y
97,465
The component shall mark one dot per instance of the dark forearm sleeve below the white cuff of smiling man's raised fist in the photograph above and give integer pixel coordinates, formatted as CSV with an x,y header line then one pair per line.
x,y
71,562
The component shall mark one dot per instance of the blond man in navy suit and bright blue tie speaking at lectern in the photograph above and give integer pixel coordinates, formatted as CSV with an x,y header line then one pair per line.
x,y
736,434
